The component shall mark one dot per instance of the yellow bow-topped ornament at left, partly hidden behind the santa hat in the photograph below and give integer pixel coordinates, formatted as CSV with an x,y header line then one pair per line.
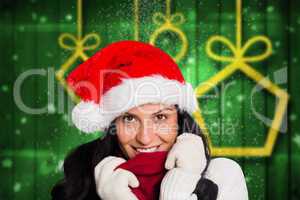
x,y
78,47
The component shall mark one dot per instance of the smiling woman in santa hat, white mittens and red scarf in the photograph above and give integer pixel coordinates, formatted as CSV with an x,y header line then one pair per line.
x,y
136,94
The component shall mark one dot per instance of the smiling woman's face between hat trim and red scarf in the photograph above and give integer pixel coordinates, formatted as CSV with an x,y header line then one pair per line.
x,y
147,128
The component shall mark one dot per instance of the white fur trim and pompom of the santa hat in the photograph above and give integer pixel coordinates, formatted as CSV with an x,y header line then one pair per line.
x,y
90,117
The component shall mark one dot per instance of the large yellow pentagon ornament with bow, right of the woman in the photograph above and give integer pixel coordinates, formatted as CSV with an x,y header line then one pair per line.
x,y
238,62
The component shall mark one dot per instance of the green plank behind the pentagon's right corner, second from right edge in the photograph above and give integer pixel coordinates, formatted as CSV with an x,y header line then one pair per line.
x,y
278,166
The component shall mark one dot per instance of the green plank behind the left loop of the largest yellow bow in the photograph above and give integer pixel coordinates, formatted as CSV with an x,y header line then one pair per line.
x,y
208,24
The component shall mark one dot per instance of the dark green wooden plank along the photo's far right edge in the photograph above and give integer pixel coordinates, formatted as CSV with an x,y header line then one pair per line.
x,y
294,108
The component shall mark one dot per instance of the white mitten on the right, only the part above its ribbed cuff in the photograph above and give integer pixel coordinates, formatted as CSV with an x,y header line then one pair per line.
x,y
187,153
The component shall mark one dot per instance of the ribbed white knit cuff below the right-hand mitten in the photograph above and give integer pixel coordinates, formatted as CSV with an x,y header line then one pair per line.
x,y
179,184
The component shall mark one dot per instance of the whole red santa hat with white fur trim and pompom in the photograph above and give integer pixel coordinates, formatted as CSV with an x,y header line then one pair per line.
x,y
124,75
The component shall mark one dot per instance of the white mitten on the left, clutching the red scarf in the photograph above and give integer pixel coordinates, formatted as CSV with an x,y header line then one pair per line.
x,y
114,184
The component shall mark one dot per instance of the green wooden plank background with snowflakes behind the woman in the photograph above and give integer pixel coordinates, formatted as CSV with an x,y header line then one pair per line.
x,y
33,147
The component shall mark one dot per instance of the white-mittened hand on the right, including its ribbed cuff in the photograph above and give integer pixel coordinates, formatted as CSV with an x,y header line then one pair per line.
x,y
185,162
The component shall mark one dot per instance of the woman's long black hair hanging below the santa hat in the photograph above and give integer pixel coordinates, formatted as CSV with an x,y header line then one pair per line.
x,y
79,183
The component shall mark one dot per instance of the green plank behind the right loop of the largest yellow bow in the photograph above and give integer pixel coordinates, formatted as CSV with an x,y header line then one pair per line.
x,y
254,131
